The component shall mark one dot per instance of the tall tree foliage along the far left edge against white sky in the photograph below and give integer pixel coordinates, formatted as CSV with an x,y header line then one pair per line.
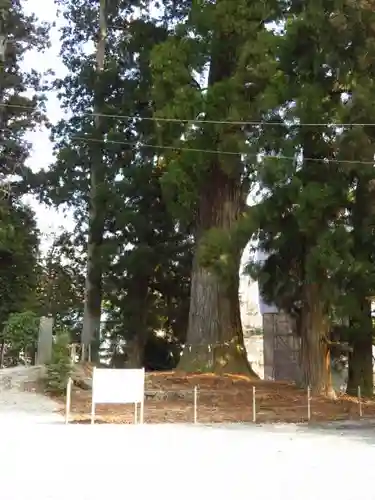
x,y
21,98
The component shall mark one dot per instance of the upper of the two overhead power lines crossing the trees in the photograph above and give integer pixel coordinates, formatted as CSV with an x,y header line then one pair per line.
x,y
212,122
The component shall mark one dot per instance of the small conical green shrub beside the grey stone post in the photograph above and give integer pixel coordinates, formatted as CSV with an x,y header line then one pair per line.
x,y
60,367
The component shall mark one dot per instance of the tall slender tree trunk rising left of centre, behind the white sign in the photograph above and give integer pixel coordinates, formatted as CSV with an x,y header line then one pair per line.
x,y
93,285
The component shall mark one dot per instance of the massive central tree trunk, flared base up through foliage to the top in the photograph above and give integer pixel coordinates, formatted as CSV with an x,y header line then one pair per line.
x,y
215,338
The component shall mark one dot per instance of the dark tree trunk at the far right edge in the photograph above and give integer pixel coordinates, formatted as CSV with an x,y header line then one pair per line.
x,y
360,359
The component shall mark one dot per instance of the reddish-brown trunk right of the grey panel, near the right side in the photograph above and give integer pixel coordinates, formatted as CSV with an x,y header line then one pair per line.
x,y
315,354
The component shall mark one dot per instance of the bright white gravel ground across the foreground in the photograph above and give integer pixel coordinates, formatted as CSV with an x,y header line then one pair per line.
x,y
58,462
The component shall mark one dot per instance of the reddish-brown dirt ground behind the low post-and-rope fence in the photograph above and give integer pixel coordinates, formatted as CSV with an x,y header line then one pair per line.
x,y
170,399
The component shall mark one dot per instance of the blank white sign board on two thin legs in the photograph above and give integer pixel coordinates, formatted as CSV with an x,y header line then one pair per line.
x,y
116,386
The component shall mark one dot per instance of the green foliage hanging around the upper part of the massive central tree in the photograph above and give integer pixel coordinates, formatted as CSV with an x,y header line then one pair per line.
x,y
236,88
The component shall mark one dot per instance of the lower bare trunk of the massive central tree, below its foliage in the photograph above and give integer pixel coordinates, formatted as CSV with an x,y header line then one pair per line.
x,y
214,340
